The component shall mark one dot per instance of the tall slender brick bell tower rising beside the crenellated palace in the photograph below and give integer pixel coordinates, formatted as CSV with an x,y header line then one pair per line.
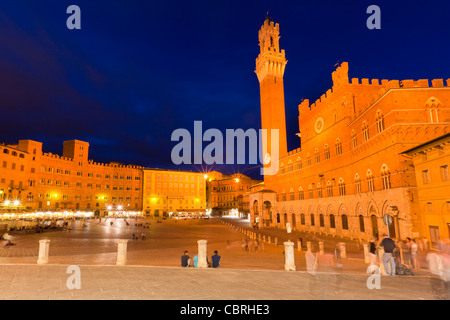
x,y
270,66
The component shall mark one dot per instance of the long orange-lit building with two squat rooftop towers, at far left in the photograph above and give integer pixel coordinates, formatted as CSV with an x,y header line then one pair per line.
x,y
33,180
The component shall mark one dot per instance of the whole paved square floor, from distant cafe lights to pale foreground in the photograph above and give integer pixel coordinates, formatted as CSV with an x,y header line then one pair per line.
x,y
153,272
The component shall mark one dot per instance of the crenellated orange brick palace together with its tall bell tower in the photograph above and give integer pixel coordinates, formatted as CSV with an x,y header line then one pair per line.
x,y
349,171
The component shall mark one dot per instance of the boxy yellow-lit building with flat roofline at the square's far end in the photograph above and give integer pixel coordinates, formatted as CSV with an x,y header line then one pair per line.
x,y
170,191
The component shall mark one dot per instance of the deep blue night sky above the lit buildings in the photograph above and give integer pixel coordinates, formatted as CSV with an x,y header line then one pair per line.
x,y
138,70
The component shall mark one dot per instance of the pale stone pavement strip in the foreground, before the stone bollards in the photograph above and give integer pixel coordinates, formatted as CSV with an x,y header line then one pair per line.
x,y
163,283
